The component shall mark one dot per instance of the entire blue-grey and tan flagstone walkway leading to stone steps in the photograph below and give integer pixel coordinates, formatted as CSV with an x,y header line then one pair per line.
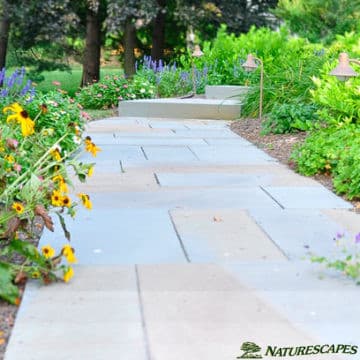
x,y
195,245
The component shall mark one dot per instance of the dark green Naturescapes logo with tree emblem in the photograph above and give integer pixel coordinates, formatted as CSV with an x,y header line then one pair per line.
x,y
253,351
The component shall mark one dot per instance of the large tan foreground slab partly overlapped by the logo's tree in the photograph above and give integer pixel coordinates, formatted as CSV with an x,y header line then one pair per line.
x,y
201,312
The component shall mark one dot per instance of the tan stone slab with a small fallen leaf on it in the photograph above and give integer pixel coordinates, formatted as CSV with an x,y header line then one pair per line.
x,y
220,235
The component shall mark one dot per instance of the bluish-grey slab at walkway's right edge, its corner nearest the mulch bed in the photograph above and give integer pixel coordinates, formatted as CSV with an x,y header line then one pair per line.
x,y
312,197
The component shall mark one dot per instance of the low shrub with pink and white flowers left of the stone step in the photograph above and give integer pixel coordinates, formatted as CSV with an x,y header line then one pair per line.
x,y
108,92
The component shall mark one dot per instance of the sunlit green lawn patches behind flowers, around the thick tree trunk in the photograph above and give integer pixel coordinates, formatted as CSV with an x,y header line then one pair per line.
x,y
69,81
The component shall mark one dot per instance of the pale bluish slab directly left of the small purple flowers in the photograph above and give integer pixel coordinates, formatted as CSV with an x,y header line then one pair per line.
x,y
298,231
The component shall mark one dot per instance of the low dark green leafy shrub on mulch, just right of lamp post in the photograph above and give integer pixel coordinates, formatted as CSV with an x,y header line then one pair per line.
x,y
285,118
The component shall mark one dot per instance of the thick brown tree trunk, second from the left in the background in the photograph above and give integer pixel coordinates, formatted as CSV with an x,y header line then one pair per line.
x,y
91,63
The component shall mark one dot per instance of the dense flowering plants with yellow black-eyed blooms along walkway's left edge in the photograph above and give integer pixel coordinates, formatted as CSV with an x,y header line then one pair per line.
x,y
39,138
